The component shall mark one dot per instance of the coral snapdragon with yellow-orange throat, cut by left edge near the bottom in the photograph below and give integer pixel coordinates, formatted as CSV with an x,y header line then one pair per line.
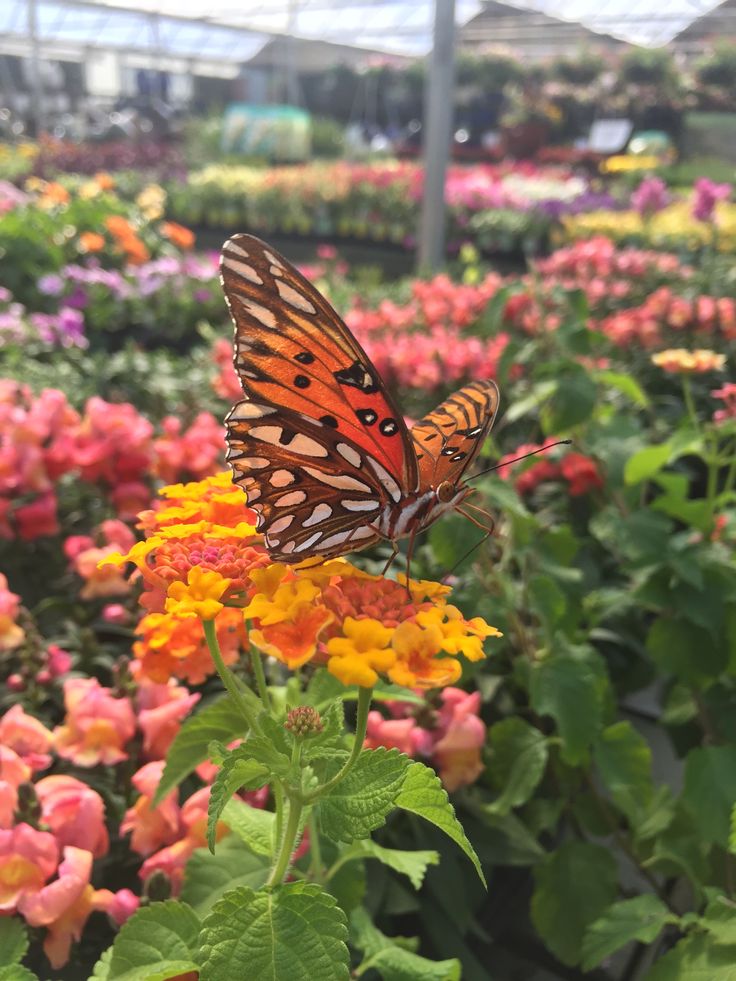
x,y
28,858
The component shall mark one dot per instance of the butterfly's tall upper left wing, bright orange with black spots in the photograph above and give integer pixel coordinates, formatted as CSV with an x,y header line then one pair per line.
x,y
293,352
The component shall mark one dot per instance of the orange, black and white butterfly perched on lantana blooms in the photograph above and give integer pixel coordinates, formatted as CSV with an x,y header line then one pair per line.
x,y
320,447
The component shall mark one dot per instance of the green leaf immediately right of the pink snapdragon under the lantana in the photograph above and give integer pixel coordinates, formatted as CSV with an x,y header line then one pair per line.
x,y
517,763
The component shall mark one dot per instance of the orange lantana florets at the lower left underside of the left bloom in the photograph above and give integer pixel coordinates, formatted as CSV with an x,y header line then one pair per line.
x,y
175,647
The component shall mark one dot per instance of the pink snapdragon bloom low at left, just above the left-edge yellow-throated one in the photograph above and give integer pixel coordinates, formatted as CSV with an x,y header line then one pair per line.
x,y
74,813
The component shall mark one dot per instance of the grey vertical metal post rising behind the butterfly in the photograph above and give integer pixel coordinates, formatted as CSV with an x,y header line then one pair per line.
x,y
438,115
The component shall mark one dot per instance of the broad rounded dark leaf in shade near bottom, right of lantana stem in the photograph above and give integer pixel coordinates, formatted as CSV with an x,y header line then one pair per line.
x,y
573,888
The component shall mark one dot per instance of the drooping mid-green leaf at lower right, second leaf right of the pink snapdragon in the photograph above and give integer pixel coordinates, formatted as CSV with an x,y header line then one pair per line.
x,y
624,762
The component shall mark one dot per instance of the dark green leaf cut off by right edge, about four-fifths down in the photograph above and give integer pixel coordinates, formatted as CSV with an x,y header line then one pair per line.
x,y
710,791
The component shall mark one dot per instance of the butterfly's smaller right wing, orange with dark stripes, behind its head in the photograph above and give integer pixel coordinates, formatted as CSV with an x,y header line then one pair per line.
x,y
449,438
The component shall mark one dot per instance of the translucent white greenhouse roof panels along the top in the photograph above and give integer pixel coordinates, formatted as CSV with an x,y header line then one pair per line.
x,y
235,30
